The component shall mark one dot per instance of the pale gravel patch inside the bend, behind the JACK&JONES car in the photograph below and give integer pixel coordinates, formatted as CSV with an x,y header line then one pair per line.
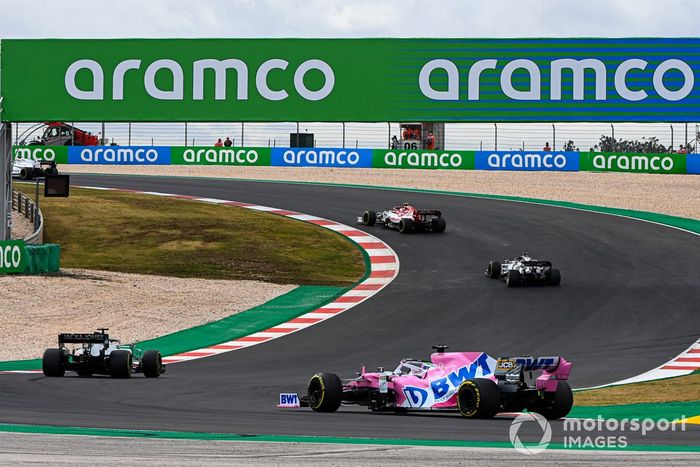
x,y
35,309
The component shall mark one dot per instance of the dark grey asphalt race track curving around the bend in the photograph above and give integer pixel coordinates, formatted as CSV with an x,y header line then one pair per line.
x,y
627,303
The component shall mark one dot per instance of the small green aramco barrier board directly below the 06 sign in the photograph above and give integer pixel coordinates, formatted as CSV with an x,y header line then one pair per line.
x,y
413,159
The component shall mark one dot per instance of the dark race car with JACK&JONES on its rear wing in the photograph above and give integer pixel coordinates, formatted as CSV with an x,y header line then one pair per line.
x,y
100,355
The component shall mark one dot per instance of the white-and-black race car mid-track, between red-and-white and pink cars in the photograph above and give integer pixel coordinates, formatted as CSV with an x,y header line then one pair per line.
x,y
524,270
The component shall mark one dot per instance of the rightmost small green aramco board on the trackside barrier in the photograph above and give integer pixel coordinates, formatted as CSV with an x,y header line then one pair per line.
x,y
666,163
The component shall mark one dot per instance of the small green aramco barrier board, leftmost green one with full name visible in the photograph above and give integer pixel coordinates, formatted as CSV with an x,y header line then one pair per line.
x,y
202,155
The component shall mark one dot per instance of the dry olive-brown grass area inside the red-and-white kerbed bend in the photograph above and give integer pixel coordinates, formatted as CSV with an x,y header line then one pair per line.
x,y
133,233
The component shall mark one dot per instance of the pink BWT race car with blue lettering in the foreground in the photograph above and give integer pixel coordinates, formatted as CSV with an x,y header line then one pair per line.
x,y
475,384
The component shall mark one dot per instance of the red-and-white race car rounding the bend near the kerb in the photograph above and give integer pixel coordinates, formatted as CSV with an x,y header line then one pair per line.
x,y
406,219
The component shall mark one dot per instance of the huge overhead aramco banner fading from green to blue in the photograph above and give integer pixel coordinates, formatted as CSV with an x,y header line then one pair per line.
x,y
346,80
